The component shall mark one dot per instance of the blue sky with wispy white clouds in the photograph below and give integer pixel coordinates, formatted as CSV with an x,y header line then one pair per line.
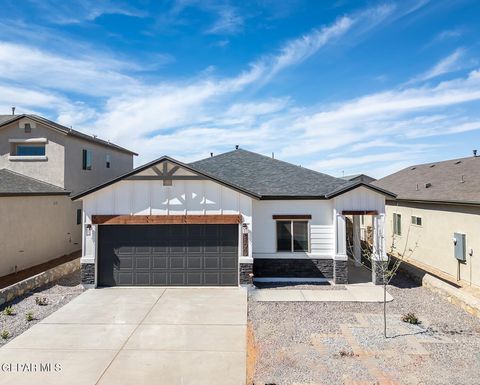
x,y
338,86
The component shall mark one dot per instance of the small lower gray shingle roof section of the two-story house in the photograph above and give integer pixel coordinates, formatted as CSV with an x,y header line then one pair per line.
x,y
12,183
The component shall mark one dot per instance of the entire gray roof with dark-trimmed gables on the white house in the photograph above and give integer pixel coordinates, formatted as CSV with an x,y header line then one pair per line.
x,y
258,176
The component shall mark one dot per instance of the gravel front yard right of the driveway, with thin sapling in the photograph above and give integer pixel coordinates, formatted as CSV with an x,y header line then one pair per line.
x,y
342,342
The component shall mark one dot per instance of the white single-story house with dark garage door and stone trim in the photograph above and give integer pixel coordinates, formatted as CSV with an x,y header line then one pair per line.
x,y
220,220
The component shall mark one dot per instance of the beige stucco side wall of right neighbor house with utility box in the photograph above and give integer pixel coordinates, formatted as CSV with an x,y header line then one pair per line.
x,y
434,239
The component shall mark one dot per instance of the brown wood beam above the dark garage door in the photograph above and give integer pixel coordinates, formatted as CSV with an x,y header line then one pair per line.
x,y
165,219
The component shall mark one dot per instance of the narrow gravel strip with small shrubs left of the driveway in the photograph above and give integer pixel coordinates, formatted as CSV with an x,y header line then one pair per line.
x,y
38,303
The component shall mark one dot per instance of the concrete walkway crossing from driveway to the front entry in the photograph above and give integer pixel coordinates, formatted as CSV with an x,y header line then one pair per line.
x,y
353,293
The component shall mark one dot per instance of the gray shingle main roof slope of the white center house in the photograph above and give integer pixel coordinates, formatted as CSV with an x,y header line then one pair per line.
x,y
268,177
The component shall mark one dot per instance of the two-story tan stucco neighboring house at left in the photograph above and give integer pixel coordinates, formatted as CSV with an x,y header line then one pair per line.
x,y
41,164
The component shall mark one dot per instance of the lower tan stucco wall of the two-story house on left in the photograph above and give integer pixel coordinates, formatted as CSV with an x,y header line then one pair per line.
x,y
36,229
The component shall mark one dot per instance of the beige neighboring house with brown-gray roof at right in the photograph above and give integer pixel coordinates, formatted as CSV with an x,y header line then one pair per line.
x,y
437,216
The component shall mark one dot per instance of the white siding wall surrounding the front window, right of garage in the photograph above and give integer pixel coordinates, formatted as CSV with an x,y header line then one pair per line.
x,y
321,229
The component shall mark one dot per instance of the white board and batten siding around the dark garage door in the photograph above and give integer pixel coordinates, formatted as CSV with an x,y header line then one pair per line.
x,y
184,197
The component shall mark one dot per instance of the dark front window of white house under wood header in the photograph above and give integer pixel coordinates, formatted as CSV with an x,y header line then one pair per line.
x,y
292,236
